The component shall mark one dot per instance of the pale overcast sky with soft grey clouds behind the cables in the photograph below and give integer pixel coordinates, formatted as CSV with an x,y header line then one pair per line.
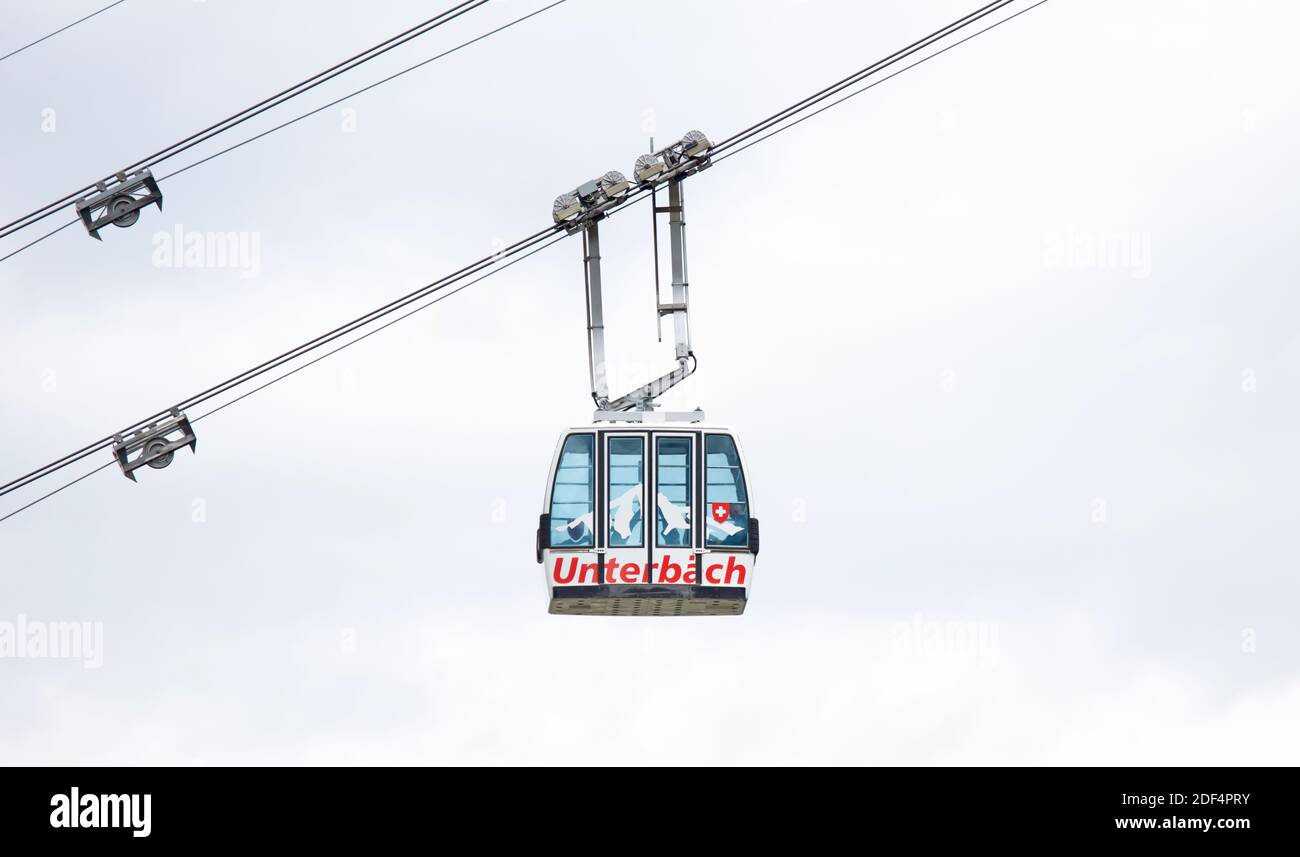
x,y
1011,344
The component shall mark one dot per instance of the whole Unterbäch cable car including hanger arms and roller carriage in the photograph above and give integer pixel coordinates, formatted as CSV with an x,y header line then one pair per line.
x,y
601,547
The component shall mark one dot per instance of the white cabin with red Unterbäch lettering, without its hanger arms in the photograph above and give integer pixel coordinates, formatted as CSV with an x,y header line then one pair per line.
x,y
604,555
